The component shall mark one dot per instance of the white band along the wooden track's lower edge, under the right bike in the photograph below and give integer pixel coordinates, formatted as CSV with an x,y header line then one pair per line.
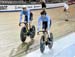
x,y
58,46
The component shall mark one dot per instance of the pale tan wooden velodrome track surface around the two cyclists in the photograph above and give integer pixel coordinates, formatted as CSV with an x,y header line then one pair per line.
x,y
10,44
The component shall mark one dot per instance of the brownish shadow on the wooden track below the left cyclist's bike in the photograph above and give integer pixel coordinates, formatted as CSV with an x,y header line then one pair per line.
x,y
21,50
